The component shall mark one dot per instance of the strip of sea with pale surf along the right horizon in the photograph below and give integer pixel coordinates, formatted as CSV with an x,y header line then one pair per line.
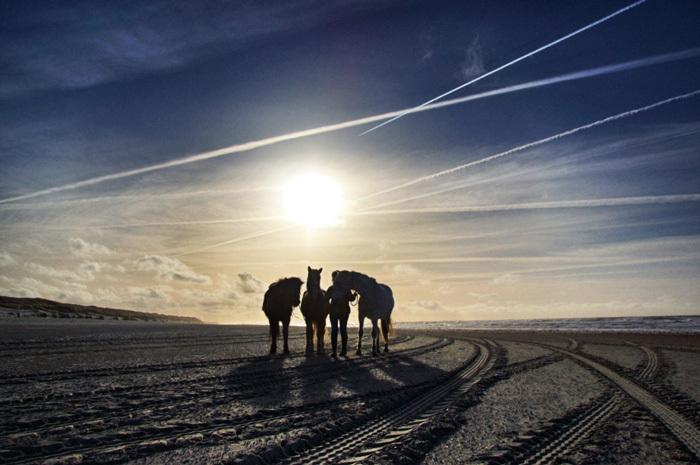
x,y
653,324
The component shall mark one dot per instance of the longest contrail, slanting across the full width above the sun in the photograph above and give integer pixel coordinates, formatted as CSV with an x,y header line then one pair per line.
x,y
252,145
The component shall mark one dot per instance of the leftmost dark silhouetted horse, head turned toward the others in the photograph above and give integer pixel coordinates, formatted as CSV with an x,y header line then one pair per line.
x,y
280,299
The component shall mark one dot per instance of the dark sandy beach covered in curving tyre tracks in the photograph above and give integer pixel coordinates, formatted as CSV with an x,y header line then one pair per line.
x,y
159,393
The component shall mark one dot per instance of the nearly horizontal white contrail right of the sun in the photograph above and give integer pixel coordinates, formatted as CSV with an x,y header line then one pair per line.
x,y
584,203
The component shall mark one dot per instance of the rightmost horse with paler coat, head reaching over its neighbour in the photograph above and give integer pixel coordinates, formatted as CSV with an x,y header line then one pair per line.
x,y
376,303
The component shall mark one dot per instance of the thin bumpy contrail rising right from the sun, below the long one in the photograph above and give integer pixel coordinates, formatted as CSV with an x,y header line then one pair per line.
x,y
536,143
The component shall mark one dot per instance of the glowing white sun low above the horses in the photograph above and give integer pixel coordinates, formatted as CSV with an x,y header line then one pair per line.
x,y
313,200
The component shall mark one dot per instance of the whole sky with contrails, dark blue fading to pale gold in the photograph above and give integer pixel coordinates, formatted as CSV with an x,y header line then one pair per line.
x,y
179,157
